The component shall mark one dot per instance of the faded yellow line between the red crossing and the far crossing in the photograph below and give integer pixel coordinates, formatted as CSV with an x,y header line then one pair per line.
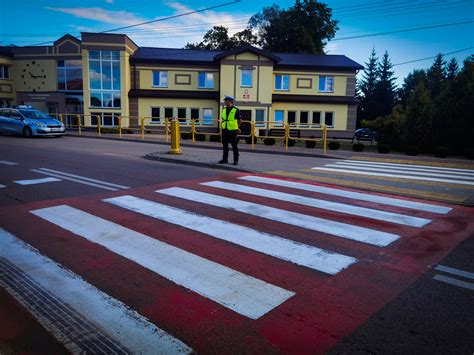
x,y
368,186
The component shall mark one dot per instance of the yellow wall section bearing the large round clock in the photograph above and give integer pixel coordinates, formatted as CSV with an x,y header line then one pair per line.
x,y
24,69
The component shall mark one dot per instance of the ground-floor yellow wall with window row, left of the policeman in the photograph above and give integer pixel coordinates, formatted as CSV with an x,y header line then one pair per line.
x,y
145,105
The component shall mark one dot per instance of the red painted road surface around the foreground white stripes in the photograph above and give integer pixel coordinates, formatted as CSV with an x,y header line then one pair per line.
x,y
324,308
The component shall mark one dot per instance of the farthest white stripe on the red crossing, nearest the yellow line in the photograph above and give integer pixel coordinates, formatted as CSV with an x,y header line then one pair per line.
x,y
349,194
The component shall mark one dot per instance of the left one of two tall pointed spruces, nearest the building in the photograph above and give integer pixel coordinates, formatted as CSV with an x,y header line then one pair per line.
x,y
366,88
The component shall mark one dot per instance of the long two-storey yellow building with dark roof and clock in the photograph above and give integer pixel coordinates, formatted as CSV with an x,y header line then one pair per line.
x,y
107,76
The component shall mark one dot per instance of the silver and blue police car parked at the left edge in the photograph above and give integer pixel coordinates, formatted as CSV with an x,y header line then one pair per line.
x,y
29,122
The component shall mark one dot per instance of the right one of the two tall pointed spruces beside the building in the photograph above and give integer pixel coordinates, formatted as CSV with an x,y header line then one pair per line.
x,y
385,89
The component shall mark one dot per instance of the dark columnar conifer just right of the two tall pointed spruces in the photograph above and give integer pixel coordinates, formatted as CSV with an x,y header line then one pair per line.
x,y
419,118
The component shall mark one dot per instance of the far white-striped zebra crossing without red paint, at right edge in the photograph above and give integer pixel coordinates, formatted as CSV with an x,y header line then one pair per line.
x,y
417,173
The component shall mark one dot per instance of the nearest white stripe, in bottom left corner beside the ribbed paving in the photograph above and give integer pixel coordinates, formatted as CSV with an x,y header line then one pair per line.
x,y
113,317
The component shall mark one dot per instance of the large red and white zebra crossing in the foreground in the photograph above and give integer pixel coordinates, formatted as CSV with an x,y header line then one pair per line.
x,y
251,261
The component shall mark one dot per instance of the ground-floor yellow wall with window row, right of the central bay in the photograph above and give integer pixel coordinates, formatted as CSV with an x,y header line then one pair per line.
x,y
340,112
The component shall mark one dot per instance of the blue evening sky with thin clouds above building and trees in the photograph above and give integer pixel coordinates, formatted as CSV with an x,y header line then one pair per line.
x,y
29,22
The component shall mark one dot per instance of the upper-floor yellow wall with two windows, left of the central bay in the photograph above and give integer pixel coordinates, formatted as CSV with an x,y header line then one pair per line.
x,y
146,78
